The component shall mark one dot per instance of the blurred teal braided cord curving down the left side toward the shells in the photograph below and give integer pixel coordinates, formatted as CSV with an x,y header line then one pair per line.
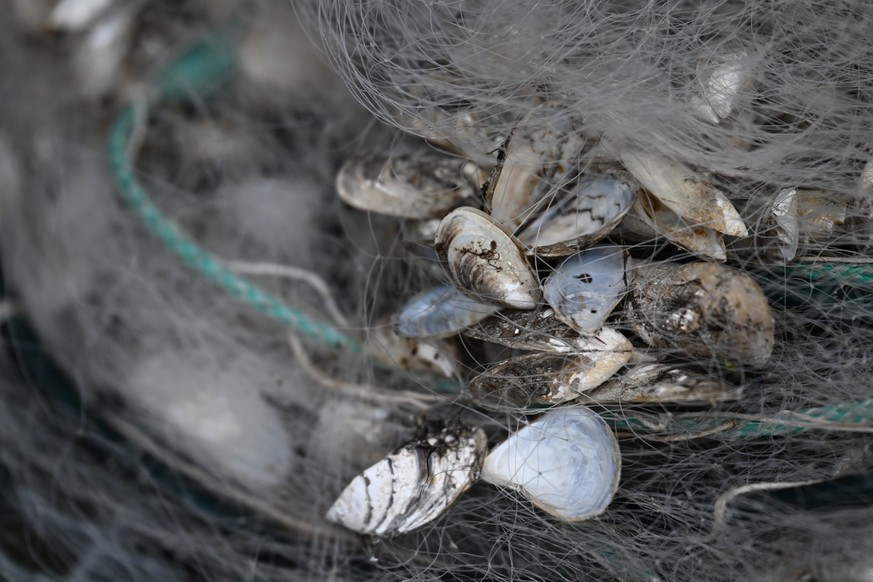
x,y
195,257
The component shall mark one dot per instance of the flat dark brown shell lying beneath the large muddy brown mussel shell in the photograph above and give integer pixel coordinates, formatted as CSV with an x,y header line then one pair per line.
x,y
663,384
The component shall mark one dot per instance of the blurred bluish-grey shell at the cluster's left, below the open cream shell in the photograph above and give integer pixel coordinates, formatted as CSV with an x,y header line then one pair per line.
x,y
440,312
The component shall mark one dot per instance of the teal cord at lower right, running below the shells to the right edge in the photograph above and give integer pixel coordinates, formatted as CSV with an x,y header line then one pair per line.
x,y
848,412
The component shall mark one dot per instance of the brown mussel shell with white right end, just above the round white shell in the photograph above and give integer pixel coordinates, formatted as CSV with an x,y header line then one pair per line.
x,y
553,378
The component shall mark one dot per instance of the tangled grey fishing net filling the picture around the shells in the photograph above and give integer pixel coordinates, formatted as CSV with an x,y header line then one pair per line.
x,y
154,427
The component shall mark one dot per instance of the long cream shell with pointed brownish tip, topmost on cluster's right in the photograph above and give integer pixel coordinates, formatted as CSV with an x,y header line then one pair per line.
x,y
684,192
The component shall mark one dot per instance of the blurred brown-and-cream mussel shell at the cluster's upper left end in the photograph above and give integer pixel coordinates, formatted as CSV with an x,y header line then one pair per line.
x,y
419,185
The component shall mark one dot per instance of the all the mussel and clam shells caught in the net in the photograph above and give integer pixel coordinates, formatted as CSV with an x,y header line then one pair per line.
x,y
518,246
